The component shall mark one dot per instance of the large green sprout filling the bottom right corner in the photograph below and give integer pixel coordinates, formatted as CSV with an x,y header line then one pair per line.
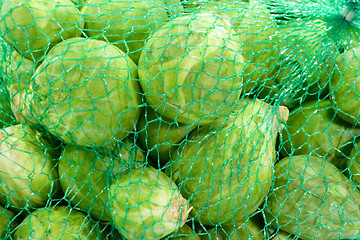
x,y
313,199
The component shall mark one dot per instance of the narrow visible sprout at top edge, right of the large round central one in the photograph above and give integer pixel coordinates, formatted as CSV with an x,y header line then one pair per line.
x,y
257,31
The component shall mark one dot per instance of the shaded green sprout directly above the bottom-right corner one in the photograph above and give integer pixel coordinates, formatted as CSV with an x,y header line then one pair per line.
x,y
314,129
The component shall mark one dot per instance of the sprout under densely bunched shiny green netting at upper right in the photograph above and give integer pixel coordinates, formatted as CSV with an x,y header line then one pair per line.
x,y
305,64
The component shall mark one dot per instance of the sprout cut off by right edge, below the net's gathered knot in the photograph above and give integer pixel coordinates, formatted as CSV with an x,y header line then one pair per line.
x,y
345,86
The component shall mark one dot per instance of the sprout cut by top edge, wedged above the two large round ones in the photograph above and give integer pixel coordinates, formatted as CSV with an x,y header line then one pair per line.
x,y
128,23
